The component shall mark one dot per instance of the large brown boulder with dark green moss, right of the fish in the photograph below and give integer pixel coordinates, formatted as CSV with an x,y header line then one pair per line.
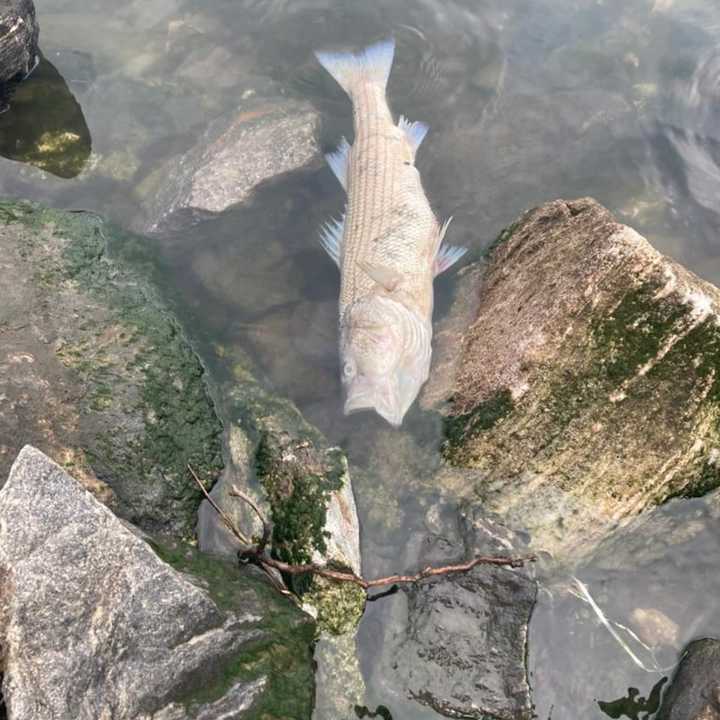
x,y
586,383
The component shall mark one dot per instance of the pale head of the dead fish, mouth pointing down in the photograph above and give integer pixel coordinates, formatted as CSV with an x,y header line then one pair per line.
x,y
385,354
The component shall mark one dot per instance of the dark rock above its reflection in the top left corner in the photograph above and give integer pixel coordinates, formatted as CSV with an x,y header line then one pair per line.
x,y
18,42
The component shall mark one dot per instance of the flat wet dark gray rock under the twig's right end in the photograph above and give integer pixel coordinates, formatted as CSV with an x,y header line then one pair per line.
x,y
458,644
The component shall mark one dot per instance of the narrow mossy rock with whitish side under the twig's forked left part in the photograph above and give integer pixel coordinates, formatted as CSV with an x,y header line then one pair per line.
x,y
303,485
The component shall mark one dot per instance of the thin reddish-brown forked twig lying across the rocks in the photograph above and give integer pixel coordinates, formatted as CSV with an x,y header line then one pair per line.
x,y
258,555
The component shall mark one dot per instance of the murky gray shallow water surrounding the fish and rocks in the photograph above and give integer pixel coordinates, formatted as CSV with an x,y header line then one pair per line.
x,y
527,101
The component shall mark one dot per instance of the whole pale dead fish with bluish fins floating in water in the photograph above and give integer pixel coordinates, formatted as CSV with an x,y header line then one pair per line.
x,y
388,244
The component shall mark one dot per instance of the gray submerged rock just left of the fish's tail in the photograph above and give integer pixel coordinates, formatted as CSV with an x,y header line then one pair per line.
x,y
237,153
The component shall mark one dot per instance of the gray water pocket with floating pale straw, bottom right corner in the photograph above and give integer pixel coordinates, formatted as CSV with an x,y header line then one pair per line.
x,y
653,580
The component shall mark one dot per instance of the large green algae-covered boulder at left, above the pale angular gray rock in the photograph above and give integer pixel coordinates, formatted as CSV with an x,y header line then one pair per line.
x,y
97,372
